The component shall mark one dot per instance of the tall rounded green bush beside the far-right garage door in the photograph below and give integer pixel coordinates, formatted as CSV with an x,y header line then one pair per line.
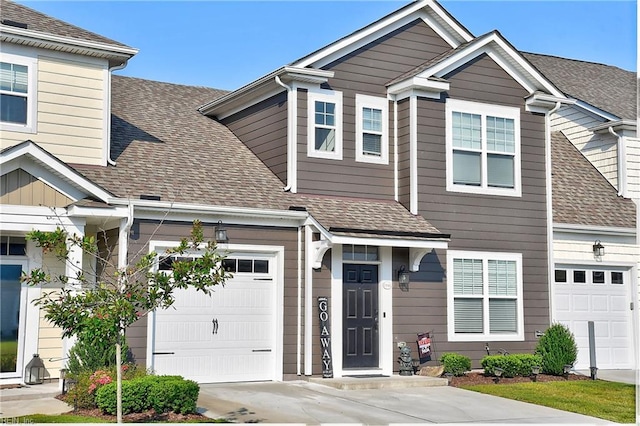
x,y
557,347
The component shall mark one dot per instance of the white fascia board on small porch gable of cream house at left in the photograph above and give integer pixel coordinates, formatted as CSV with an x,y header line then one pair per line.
x,y
59,168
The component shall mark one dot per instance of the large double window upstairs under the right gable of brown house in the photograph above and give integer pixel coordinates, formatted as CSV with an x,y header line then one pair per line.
x,y
483,148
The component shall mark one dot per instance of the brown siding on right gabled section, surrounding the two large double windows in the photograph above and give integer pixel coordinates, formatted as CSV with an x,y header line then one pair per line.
x,y
479,222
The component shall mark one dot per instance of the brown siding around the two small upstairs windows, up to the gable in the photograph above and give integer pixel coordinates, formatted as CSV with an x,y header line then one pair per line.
x,y
365,71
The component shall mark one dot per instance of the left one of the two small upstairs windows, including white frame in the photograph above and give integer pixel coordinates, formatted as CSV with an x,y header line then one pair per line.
x,y
324,124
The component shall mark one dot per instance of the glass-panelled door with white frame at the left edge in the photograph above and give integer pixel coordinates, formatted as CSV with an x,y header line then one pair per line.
x,y
12,298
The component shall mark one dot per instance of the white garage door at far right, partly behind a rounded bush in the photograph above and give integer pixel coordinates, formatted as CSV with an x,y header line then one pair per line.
x,y
601,295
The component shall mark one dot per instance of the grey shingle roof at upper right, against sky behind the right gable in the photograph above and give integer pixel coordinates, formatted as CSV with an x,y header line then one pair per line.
x,y
605,87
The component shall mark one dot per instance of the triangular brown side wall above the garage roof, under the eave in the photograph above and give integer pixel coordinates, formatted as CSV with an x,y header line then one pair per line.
x,y
263,128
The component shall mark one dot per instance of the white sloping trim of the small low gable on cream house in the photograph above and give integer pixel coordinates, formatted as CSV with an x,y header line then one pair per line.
x,y
39,163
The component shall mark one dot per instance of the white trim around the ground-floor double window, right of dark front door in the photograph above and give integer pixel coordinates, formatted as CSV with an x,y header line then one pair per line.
x,y
482,337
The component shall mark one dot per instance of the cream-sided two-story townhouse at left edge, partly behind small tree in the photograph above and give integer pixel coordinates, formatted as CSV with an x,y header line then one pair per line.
x,y
55,82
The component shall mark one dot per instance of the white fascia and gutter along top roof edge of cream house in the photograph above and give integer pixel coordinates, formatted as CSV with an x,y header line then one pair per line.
x,y
17,35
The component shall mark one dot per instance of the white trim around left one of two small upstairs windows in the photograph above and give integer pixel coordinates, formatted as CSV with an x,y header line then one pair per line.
x,y
322,95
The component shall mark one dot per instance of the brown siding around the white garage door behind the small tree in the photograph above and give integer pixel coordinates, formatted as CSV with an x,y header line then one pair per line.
x,y
143,230
